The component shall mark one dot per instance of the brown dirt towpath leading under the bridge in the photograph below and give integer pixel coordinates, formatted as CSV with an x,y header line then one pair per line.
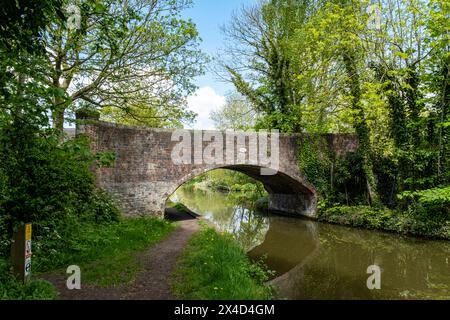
x,y
152,283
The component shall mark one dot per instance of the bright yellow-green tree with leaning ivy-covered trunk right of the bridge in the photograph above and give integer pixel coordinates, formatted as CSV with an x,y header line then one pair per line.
x,y
330,66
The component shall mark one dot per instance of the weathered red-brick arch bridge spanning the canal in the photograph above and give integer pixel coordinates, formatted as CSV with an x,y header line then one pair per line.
x,y
145,174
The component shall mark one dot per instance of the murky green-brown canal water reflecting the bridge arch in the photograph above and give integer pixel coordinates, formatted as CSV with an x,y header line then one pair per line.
x,y
314,260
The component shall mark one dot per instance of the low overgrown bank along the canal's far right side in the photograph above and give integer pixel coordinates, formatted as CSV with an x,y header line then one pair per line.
x,y
389,220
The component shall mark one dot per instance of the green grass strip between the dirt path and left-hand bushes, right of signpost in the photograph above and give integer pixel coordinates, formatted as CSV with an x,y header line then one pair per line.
x,y
106,253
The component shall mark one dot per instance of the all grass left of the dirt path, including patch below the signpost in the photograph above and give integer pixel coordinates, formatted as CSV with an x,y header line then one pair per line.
x,y
104,252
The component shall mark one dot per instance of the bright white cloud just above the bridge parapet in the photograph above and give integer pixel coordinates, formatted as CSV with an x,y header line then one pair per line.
x,y
203,102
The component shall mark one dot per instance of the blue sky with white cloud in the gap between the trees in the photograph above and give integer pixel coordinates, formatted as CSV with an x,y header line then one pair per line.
x,y
209,16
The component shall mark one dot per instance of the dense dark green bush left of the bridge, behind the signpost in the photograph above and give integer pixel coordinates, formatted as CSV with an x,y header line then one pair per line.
x,y
49,183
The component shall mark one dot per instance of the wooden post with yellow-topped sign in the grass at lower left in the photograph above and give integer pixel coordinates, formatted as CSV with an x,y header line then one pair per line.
x,y
21,252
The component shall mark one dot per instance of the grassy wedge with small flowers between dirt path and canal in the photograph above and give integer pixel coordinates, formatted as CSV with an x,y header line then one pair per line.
x,y
214,266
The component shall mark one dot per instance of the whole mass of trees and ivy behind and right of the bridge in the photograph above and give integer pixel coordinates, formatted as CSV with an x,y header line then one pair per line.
x,y
329,67
